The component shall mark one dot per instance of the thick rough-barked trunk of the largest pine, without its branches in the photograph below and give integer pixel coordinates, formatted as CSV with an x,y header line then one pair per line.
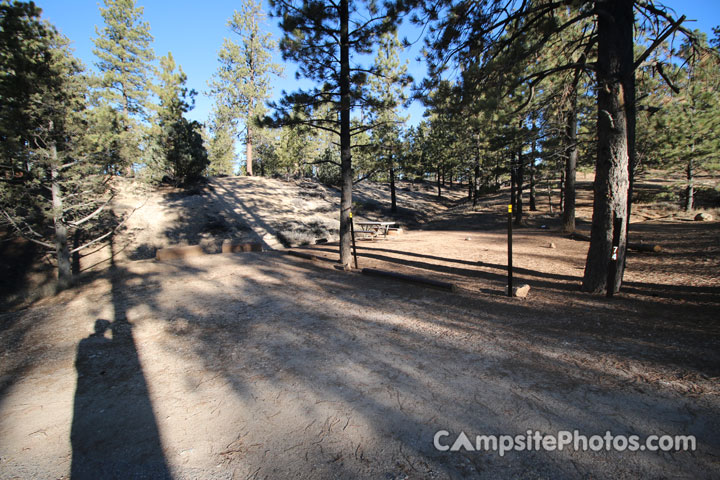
x,y
614,73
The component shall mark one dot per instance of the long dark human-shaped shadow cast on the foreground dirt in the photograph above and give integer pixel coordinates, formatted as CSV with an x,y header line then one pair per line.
x,y
114,433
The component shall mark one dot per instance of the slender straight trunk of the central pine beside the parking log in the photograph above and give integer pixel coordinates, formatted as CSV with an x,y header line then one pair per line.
x,y
345,154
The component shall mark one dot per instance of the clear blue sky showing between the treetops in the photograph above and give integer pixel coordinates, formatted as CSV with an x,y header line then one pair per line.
x,y
194,30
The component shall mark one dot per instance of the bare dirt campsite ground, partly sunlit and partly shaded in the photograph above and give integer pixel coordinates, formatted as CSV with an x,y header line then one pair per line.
x,y
263,365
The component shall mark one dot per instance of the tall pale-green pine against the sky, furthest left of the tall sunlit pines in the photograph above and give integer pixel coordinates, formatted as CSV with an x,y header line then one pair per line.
x,y
124,52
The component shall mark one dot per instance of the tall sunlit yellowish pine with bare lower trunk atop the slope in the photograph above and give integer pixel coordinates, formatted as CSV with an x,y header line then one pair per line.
x,y
242,83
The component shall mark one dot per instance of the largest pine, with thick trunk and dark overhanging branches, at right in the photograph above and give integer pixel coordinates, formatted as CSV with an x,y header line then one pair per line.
x,y
467,30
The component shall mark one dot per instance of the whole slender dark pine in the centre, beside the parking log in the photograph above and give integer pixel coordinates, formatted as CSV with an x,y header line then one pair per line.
x,y
322,38
